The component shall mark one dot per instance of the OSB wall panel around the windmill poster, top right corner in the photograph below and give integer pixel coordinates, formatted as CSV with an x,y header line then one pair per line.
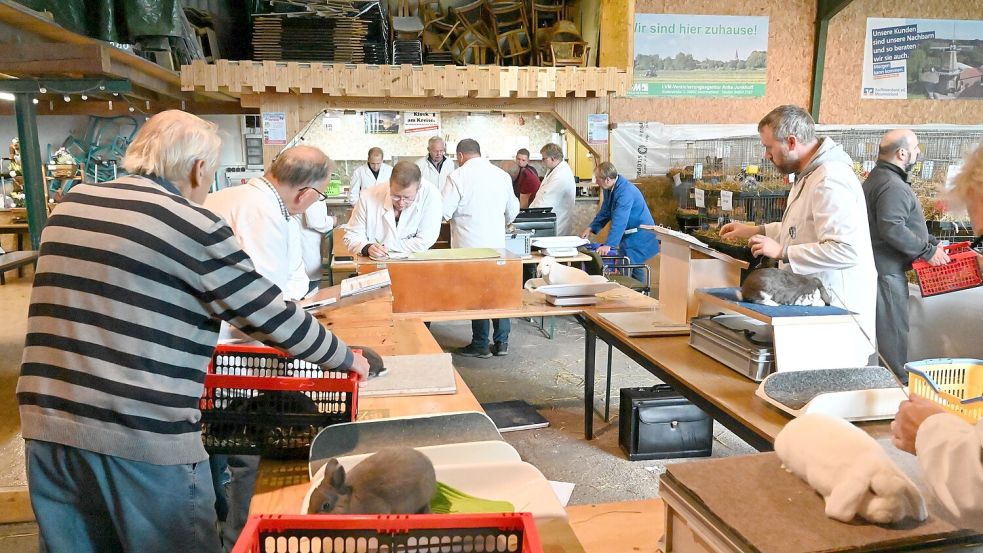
x,y
841,102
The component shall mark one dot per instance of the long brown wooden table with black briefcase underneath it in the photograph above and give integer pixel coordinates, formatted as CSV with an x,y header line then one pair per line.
x,y
724,394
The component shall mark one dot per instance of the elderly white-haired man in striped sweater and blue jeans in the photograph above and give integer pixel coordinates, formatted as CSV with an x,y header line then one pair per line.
x,y
132,281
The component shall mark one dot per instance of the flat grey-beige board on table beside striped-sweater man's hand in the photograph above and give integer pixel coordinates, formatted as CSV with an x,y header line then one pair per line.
x,y
413,375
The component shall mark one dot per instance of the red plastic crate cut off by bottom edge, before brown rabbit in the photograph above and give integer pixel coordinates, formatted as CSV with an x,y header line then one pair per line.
x,y
476,533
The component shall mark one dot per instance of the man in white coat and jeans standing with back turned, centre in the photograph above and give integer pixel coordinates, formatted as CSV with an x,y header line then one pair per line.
x,y
479,203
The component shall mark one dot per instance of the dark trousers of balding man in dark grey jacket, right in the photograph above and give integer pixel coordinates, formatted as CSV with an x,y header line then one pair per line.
x,y
892,322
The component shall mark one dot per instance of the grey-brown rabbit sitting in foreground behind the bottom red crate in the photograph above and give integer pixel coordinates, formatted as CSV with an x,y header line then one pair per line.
x,y
394,480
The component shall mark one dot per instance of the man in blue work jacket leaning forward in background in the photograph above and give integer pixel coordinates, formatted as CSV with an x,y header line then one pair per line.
x,y
625,208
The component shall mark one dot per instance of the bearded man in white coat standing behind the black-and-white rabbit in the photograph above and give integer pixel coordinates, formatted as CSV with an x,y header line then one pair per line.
x,y
824,231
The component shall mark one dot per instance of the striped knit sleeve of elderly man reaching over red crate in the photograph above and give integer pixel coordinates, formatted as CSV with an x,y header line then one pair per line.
x,y
237,294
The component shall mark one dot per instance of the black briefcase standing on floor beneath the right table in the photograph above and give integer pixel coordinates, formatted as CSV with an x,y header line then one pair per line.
x,y
658,423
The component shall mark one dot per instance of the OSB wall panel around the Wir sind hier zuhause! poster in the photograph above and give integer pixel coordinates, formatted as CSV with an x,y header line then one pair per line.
x,y
791,35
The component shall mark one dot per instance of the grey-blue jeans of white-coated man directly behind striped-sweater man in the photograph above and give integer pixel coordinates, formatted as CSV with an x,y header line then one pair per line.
x,y
234,479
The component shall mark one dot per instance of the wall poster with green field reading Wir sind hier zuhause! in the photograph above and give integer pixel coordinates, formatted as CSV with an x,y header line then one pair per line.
x,y
700,56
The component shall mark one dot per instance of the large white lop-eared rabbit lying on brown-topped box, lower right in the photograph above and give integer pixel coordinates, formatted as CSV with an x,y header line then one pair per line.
x,y
849,469
